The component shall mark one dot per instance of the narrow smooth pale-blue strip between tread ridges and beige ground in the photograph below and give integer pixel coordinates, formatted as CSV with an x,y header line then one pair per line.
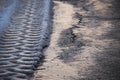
x,y
45,25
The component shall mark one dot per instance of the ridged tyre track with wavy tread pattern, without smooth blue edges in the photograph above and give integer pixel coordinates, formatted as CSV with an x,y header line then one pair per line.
x,y
20,50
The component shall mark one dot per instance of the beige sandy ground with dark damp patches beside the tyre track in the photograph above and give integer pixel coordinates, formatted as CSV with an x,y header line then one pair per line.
x,y
85,43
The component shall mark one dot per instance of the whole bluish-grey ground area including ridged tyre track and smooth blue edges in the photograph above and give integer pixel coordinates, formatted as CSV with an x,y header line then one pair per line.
x,y
24,34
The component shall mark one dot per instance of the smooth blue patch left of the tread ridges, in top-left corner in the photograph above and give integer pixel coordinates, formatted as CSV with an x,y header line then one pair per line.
x,y
6,13
